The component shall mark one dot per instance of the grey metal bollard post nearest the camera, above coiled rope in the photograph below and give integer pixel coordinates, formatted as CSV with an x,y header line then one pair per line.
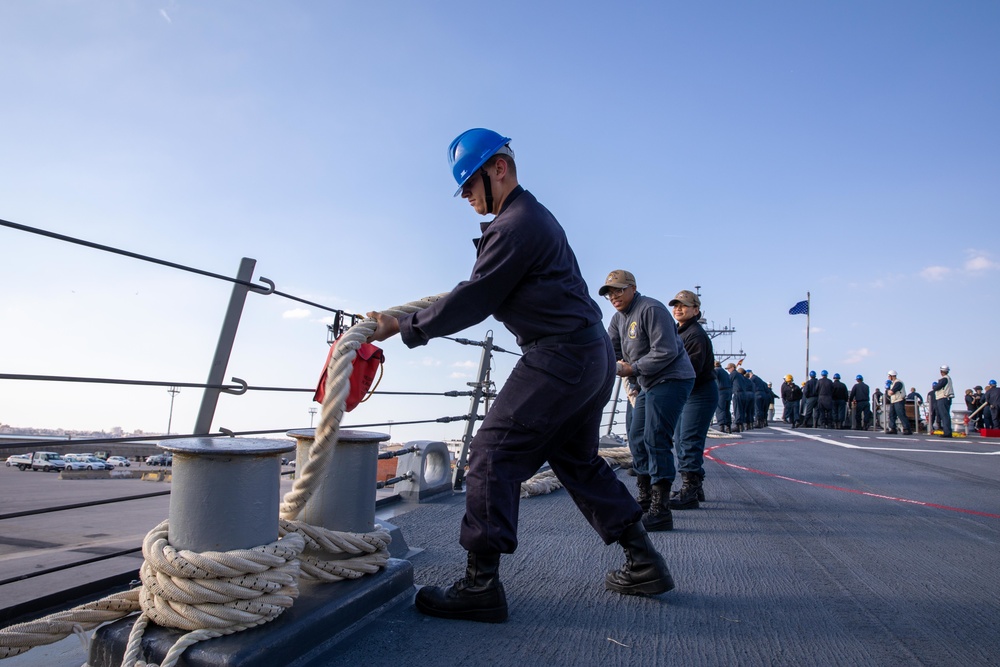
x,y
225,492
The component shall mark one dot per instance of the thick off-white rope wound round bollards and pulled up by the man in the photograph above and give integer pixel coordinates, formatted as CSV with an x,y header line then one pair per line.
x,y
212,594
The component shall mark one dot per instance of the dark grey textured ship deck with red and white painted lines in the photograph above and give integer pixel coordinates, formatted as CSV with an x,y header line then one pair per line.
x,y
807,552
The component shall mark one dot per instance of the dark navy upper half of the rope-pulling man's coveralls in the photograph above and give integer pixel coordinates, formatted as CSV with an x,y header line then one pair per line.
x,y
525,275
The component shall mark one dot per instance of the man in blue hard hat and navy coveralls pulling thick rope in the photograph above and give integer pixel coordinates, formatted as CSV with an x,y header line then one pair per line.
x,y
527,276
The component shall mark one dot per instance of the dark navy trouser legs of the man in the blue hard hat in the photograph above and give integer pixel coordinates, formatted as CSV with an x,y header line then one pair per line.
x,y
548,410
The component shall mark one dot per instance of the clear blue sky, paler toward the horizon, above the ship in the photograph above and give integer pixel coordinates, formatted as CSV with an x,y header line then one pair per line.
x,y
757,149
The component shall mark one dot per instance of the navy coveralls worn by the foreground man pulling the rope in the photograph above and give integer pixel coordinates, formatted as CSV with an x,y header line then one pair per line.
x,y
527,277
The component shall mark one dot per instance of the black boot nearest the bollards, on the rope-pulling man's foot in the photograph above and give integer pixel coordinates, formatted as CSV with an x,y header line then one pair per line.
x,y
477,597
